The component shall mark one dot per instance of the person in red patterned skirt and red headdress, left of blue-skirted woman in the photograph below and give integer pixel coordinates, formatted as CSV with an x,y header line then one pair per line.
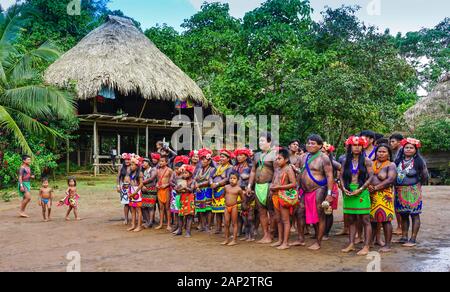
x,y
187,199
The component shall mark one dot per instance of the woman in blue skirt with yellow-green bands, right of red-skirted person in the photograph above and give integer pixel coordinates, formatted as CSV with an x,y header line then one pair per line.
x,y
203,191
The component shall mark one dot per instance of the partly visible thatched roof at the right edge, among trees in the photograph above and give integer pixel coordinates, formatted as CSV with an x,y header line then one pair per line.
x,y
436,104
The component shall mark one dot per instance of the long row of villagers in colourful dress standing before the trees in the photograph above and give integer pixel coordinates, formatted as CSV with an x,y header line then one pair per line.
x,y
279,188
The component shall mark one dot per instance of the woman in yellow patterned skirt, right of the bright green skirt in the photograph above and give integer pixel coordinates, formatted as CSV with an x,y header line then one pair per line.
x,y
382,194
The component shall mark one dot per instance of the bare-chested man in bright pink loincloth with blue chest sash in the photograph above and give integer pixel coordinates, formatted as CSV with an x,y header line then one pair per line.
x,y
316,185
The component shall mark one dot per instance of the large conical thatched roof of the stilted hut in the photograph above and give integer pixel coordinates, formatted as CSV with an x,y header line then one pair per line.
x,y
117,55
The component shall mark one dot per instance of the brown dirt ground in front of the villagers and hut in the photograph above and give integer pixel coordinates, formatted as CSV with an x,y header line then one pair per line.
x,y
105,245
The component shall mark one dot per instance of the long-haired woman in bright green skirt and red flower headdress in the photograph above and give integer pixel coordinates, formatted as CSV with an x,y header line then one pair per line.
x,y
356,176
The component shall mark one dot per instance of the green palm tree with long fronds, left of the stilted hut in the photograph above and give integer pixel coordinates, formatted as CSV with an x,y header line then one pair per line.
x,y
24,98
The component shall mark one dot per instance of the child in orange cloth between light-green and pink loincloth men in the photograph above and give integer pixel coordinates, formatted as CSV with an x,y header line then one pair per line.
x,y
284,196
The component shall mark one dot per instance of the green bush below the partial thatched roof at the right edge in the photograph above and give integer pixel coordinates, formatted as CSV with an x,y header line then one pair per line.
x,y
434,134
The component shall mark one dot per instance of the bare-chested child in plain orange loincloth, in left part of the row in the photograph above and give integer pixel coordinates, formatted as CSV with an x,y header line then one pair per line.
x,y
163,186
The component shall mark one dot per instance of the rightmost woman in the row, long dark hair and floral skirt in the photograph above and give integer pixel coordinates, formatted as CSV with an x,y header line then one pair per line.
x,y
412,173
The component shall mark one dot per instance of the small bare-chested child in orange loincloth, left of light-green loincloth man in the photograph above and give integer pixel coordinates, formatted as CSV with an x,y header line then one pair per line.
x,y
233,192
